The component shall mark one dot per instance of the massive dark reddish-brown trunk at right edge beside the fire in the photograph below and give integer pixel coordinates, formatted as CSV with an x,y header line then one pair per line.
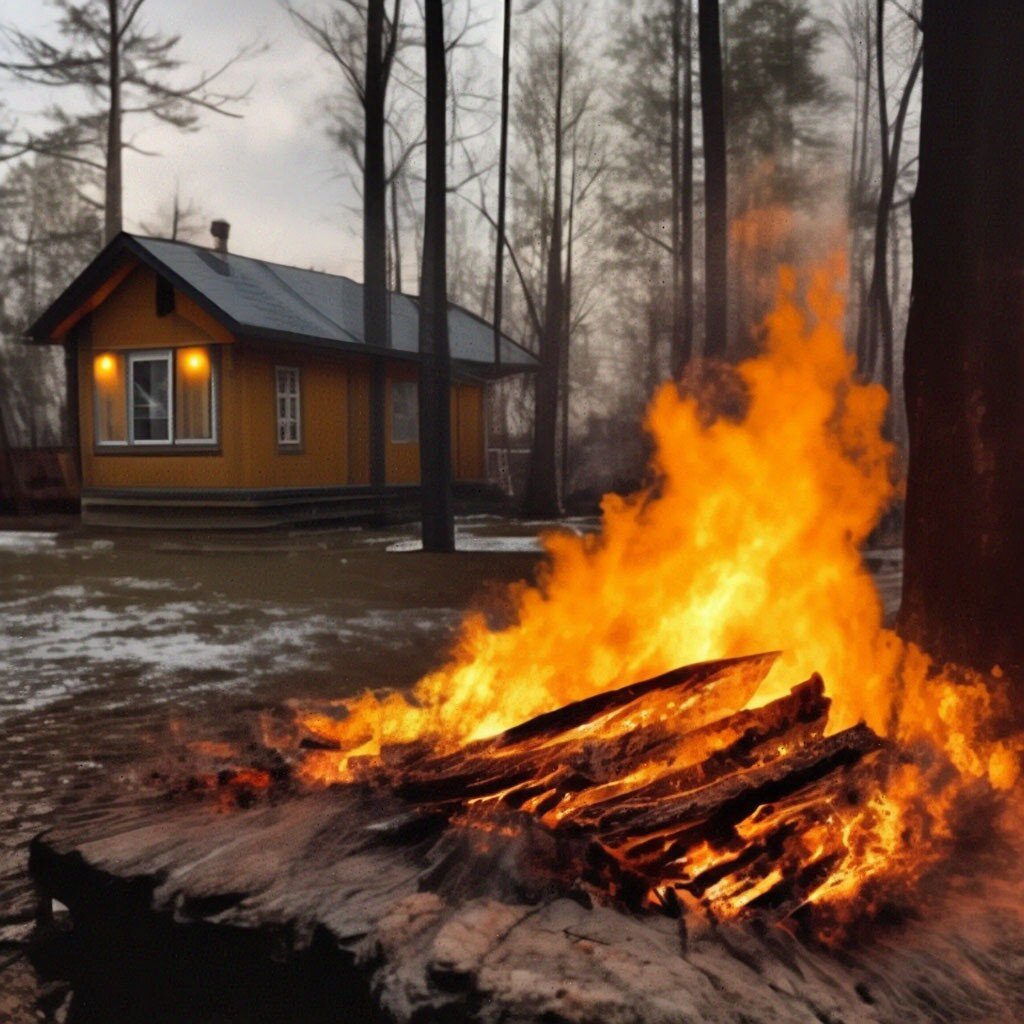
x,y
964,581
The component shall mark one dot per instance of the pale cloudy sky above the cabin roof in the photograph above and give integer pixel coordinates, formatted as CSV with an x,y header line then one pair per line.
x,y
273,175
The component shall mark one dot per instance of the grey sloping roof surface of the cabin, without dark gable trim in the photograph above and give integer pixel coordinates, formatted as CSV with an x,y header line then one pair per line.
x,y
270,298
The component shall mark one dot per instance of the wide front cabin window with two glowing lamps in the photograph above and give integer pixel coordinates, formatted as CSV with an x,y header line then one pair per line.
x,y
156,398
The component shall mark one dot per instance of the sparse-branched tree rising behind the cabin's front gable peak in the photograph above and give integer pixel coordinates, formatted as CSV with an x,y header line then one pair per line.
x,y
124,70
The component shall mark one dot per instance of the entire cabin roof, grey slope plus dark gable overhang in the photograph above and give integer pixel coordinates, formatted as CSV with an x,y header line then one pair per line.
x,y
274,303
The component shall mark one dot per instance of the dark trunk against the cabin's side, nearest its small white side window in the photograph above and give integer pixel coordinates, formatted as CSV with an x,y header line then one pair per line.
x,y
375,312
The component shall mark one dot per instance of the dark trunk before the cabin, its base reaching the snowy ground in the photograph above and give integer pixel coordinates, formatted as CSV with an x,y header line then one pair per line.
x,y
436,374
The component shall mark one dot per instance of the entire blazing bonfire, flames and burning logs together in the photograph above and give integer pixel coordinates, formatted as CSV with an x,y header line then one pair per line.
x,y
748,541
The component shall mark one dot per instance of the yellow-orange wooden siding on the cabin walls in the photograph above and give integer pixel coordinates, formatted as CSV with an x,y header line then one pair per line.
x,y
335,409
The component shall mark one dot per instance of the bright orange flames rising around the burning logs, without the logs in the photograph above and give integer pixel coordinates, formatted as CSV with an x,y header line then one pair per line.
x,y
749,540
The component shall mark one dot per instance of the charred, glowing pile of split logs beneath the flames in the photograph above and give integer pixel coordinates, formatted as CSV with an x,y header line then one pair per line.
x,y
643,793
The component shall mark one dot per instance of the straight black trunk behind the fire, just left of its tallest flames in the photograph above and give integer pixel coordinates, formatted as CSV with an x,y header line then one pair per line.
x,y
716,217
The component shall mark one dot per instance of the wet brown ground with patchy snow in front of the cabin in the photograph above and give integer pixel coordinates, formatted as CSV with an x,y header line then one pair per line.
x,y
111,643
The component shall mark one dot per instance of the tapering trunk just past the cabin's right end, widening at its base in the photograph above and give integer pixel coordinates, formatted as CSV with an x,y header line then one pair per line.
x,y
542,485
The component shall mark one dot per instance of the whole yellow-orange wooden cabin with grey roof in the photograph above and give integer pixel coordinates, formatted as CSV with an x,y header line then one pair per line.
x,y
206,387
